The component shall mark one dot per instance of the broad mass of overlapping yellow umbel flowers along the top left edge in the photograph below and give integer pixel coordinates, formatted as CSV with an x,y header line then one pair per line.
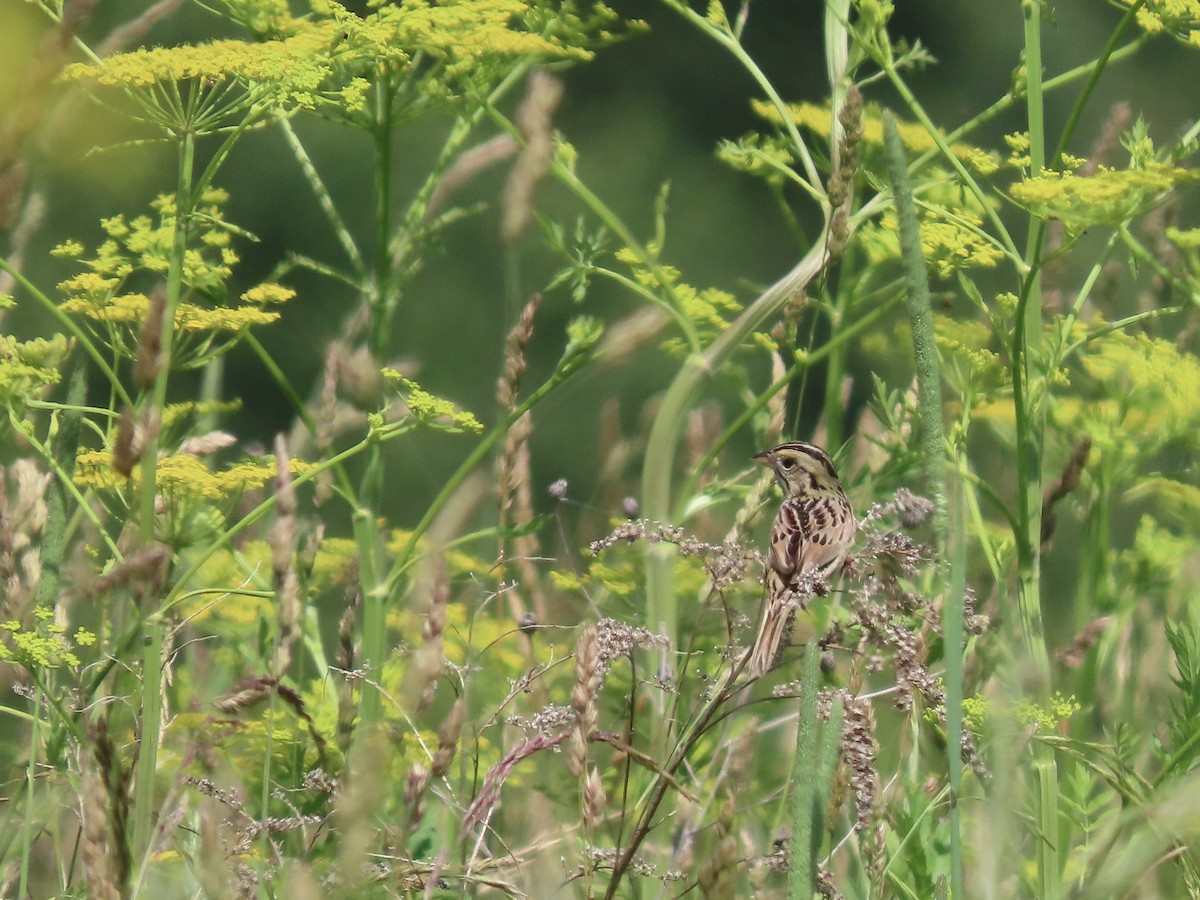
x,y
328,61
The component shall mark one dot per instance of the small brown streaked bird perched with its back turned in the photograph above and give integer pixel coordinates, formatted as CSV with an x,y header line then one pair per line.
x,y
812,537
